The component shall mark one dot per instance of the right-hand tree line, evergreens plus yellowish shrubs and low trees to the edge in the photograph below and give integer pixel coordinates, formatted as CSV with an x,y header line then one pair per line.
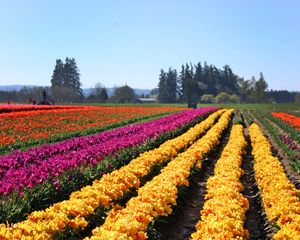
x,y
206,83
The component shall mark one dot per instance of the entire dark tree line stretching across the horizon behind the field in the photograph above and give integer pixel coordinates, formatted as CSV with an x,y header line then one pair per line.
x,y
194,83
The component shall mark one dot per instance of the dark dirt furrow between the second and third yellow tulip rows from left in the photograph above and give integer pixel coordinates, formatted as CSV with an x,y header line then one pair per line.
x,y
181,223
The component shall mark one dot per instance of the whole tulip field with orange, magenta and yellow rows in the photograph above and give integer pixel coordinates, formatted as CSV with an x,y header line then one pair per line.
x,y
148,172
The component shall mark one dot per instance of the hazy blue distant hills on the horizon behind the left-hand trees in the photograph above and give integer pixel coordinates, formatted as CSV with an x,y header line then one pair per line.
x,y
86,91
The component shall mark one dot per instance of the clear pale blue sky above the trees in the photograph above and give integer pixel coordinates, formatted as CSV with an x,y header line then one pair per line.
x,y
118,42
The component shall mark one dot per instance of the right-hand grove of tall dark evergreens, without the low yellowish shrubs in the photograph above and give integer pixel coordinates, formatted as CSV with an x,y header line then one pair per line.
x,y
208,79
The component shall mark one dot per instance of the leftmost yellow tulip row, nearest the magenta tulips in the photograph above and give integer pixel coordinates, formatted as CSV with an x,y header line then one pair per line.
x,y
73,212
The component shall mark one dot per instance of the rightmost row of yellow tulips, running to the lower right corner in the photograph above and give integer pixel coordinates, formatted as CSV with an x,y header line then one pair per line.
x,y
280,197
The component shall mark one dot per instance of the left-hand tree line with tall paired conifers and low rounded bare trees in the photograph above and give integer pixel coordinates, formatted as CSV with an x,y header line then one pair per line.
x,y
66,88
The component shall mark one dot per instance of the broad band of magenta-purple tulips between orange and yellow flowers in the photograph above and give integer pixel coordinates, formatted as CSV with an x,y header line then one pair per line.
x,y
27,169
